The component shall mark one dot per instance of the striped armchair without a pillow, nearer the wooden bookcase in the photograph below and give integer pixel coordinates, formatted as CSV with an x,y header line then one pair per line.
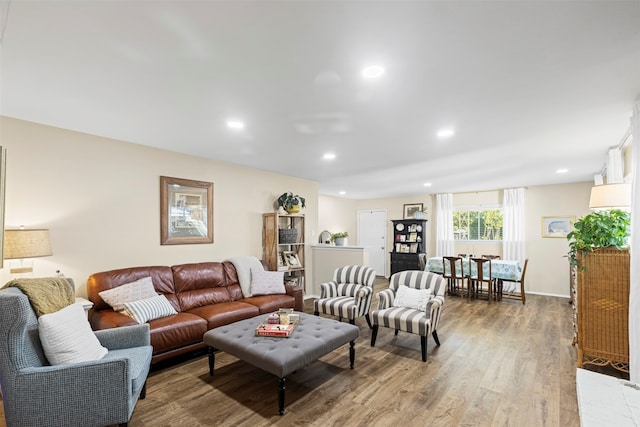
x,y
349,295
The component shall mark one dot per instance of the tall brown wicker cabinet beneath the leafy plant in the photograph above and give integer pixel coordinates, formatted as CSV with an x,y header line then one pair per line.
x,y
603,308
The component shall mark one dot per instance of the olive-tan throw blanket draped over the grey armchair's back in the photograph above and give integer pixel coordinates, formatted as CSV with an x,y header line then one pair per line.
x,y
46,294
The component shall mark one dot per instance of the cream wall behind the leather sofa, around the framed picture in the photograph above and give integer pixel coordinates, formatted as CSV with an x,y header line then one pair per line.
x,y
100,200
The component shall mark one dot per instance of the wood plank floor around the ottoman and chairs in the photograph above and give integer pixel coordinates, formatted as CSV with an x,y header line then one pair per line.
x,y
500,364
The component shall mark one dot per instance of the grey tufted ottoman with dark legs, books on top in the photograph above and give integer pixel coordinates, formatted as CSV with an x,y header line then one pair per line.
x,y
313,338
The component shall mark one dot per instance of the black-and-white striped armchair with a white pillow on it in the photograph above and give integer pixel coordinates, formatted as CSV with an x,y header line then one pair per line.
x,y
412,320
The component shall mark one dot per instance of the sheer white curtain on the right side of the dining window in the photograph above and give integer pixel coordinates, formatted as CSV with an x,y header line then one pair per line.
x,y
513,225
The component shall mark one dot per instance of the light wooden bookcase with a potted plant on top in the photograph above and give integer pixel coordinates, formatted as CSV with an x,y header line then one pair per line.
x,y
283,246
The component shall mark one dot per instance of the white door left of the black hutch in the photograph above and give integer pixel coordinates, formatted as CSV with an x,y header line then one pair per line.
x,y
372,233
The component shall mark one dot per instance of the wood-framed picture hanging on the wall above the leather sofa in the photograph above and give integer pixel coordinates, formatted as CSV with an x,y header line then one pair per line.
x,y
186,211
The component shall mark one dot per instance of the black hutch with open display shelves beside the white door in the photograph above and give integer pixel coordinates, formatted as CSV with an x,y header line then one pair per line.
x,y
408,244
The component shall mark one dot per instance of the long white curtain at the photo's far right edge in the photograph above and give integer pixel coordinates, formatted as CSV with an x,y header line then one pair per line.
x,y
634,293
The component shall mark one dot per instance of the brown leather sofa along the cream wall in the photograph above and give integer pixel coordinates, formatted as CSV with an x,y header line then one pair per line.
x,y
205,295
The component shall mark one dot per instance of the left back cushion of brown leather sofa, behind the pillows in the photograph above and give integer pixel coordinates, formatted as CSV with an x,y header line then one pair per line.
x,y
161,276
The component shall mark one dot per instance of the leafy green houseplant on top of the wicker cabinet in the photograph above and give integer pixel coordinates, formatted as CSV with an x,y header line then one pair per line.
x,y
599,229
